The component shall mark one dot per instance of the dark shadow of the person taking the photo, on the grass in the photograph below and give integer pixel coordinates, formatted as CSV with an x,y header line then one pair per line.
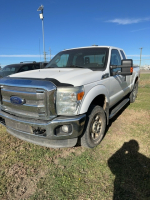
x,y
132,173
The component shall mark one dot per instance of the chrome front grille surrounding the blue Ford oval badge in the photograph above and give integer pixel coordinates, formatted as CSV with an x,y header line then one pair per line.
x,y
39,102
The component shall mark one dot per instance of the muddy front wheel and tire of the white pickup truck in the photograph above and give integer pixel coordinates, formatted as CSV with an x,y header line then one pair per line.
x,y
94,128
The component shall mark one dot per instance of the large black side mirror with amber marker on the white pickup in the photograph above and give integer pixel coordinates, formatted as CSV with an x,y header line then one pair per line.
x,y
126,68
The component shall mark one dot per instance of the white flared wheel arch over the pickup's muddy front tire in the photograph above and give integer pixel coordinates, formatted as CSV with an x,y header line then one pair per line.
x,y
91,95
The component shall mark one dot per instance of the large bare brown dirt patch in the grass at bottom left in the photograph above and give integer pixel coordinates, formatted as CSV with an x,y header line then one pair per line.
x,y
21,185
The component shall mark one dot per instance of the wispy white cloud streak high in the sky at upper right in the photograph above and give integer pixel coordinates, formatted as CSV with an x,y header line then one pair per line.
x,y
128,21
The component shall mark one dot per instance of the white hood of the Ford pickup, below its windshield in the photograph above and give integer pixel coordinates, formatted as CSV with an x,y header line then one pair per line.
x,y
76,77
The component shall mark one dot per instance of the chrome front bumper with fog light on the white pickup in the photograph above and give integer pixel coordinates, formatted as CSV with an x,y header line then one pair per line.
x,y
44,132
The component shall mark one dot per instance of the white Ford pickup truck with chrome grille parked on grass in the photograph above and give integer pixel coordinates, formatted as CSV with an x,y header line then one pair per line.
x,y
71,100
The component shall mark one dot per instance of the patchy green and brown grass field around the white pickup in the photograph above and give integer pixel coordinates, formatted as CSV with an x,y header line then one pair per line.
x,y
119,168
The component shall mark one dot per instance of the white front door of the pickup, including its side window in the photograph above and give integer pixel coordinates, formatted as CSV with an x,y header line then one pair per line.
x,y
117,84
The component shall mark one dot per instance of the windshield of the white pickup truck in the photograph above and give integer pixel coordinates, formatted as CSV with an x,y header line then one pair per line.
x,y
93,58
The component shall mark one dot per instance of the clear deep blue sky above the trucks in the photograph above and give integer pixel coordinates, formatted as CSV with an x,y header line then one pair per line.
x,y
69,24
